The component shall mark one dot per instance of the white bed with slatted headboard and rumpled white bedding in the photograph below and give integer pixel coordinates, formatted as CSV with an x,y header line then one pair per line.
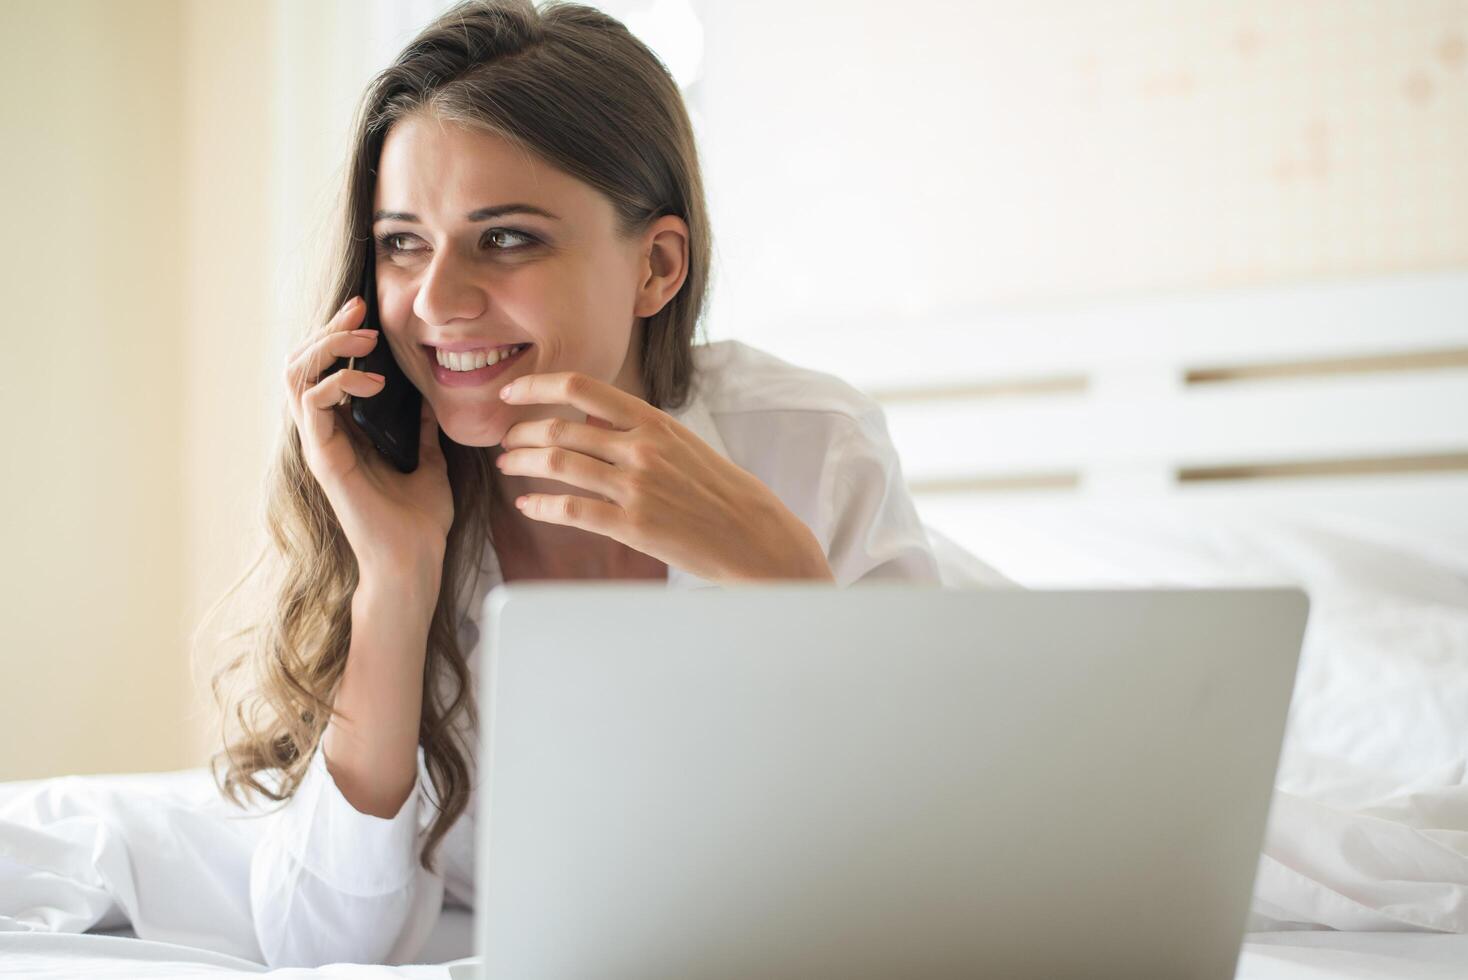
x,y
1312,435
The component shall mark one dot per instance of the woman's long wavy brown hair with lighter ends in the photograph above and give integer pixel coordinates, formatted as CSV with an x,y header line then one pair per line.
x,y
575,87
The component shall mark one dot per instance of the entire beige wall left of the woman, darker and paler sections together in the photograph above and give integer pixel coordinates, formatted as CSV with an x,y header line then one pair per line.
x,y
136,294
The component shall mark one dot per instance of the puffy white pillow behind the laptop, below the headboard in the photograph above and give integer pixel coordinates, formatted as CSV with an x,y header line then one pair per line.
x,y
1384,673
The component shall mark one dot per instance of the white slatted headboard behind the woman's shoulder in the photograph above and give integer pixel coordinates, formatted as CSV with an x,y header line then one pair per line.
x,y
1348,397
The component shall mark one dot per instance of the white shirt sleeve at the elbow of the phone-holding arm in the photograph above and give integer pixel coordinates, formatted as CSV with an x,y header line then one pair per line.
x,y
330,884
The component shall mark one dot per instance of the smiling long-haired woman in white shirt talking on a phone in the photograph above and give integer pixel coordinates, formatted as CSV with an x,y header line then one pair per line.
x,y
531,187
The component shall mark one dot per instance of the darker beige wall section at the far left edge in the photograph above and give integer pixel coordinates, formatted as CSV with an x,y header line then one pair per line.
x,y
93,293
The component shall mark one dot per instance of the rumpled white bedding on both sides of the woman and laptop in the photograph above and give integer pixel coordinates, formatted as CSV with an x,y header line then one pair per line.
x,y
1367,831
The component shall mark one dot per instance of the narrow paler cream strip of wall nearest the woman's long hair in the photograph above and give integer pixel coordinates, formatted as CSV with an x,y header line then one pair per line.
x,y
230,400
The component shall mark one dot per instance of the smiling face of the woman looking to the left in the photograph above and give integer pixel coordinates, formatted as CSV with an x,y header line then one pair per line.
x,y
454,278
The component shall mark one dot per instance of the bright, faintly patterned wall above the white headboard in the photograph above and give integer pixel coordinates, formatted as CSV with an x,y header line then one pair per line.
x,y
1058,152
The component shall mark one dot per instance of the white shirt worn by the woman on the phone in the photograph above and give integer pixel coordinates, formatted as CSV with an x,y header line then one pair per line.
x,y
331,884
